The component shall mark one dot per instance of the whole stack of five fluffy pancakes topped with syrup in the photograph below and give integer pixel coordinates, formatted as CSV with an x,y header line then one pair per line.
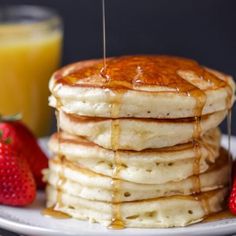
x,y
137,142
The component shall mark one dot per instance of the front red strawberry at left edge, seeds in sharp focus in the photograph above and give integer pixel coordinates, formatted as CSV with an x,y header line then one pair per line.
x,y
17,185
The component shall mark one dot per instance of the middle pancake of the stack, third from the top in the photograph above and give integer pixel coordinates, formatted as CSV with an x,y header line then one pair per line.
x,y
148,166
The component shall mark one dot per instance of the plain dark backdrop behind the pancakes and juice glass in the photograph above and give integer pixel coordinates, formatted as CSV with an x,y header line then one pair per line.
x,y
204,30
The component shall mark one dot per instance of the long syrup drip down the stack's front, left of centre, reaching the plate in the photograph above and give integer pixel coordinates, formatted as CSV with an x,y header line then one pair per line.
x,y
116,222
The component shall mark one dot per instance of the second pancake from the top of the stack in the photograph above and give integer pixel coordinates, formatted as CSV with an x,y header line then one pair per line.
x,y
144,133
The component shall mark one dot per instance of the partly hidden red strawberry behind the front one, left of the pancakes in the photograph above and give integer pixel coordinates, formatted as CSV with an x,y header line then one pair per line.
x,y
23,140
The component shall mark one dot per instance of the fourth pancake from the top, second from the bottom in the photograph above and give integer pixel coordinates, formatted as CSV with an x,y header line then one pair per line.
x,y
73,179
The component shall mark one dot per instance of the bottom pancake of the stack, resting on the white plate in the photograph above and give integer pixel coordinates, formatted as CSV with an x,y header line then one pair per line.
x,y
159,212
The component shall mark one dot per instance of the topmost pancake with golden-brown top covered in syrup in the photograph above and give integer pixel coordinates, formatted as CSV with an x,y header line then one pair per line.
x,y
141,86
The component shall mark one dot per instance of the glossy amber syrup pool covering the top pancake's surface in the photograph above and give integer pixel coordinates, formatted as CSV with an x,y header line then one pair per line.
x,y
130,72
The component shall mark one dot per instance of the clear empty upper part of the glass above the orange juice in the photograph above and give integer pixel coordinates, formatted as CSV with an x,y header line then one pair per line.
x,y
27,14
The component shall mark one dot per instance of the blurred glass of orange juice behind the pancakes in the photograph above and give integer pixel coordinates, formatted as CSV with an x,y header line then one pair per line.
x,y
30,51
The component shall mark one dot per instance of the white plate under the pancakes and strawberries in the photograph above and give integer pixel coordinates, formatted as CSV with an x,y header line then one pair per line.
x,y
29,221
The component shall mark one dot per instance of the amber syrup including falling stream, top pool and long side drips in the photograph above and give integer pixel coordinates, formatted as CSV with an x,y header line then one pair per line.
x,y
122,74
